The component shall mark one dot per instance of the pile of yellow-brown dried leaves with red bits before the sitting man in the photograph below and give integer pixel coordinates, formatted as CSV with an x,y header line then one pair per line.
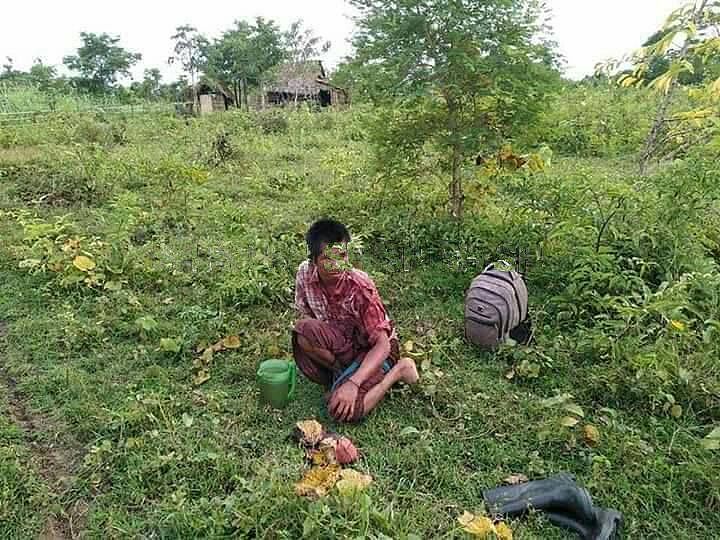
x,y
326,453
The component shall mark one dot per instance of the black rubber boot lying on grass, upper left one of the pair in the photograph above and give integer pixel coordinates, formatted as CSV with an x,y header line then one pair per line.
x,y
558,494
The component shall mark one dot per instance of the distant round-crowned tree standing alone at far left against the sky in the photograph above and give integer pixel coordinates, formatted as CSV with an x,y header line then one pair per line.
x,y
101,61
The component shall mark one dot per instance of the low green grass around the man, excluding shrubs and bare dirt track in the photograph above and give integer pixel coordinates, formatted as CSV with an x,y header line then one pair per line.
x,y
206,261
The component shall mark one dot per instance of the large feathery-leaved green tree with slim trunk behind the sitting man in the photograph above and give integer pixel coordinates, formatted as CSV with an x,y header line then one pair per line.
x,y
460,73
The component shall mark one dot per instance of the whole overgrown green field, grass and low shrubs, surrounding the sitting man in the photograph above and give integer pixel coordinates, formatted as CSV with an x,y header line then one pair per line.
x,y
196,229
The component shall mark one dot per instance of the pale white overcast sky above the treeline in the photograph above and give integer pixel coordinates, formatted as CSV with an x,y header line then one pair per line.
x,y
587,31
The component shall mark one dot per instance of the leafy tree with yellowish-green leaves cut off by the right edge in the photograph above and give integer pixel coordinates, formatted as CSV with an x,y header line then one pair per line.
x,y
683,54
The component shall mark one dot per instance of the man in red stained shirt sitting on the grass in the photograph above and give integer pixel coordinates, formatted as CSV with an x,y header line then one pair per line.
x,y
345,340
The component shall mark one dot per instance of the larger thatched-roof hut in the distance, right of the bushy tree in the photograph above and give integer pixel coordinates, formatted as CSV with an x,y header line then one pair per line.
x,y
304,82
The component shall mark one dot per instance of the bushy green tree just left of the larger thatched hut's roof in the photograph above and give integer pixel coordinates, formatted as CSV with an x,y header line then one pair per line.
x,y
242,57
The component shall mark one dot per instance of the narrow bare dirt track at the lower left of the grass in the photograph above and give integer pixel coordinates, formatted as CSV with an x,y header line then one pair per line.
x,y
54,455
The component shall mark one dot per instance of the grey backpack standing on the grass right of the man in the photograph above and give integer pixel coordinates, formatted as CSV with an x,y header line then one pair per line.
x,y
495,304
